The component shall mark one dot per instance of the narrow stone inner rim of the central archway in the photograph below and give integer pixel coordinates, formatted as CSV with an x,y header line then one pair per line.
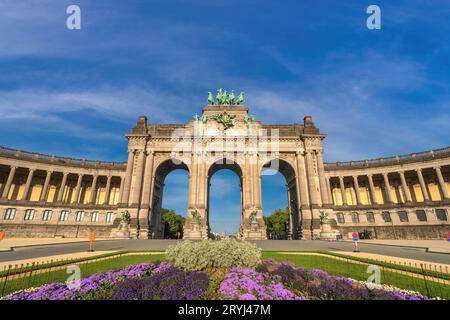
x,y
219,165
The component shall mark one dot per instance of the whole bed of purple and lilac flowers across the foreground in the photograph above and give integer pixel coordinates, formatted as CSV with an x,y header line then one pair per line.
x,y
271,280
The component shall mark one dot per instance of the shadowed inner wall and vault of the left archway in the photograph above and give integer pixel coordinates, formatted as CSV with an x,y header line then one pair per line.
x,y
162,169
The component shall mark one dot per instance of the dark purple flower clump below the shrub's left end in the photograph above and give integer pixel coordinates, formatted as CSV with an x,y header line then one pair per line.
x,y
168,284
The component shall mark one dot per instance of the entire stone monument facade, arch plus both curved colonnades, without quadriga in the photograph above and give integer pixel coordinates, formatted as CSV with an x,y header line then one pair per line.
x,y
44,196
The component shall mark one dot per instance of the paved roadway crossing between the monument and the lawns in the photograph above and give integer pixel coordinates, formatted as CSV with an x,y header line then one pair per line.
x,y
274,245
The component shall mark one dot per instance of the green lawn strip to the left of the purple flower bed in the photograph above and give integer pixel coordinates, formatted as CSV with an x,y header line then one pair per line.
x,y
61,275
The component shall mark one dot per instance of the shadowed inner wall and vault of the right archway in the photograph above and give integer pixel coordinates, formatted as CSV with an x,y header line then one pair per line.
x,y
288,171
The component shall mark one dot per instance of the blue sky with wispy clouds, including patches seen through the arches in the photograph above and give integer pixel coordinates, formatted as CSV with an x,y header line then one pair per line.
x,y
75,93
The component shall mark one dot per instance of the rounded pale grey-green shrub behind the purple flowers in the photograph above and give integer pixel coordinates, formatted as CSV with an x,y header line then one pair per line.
x,y
210,255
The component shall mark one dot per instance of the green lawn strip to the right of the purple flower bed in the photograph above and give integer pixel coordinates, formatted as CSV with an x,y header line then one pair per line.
x,y
359,272
